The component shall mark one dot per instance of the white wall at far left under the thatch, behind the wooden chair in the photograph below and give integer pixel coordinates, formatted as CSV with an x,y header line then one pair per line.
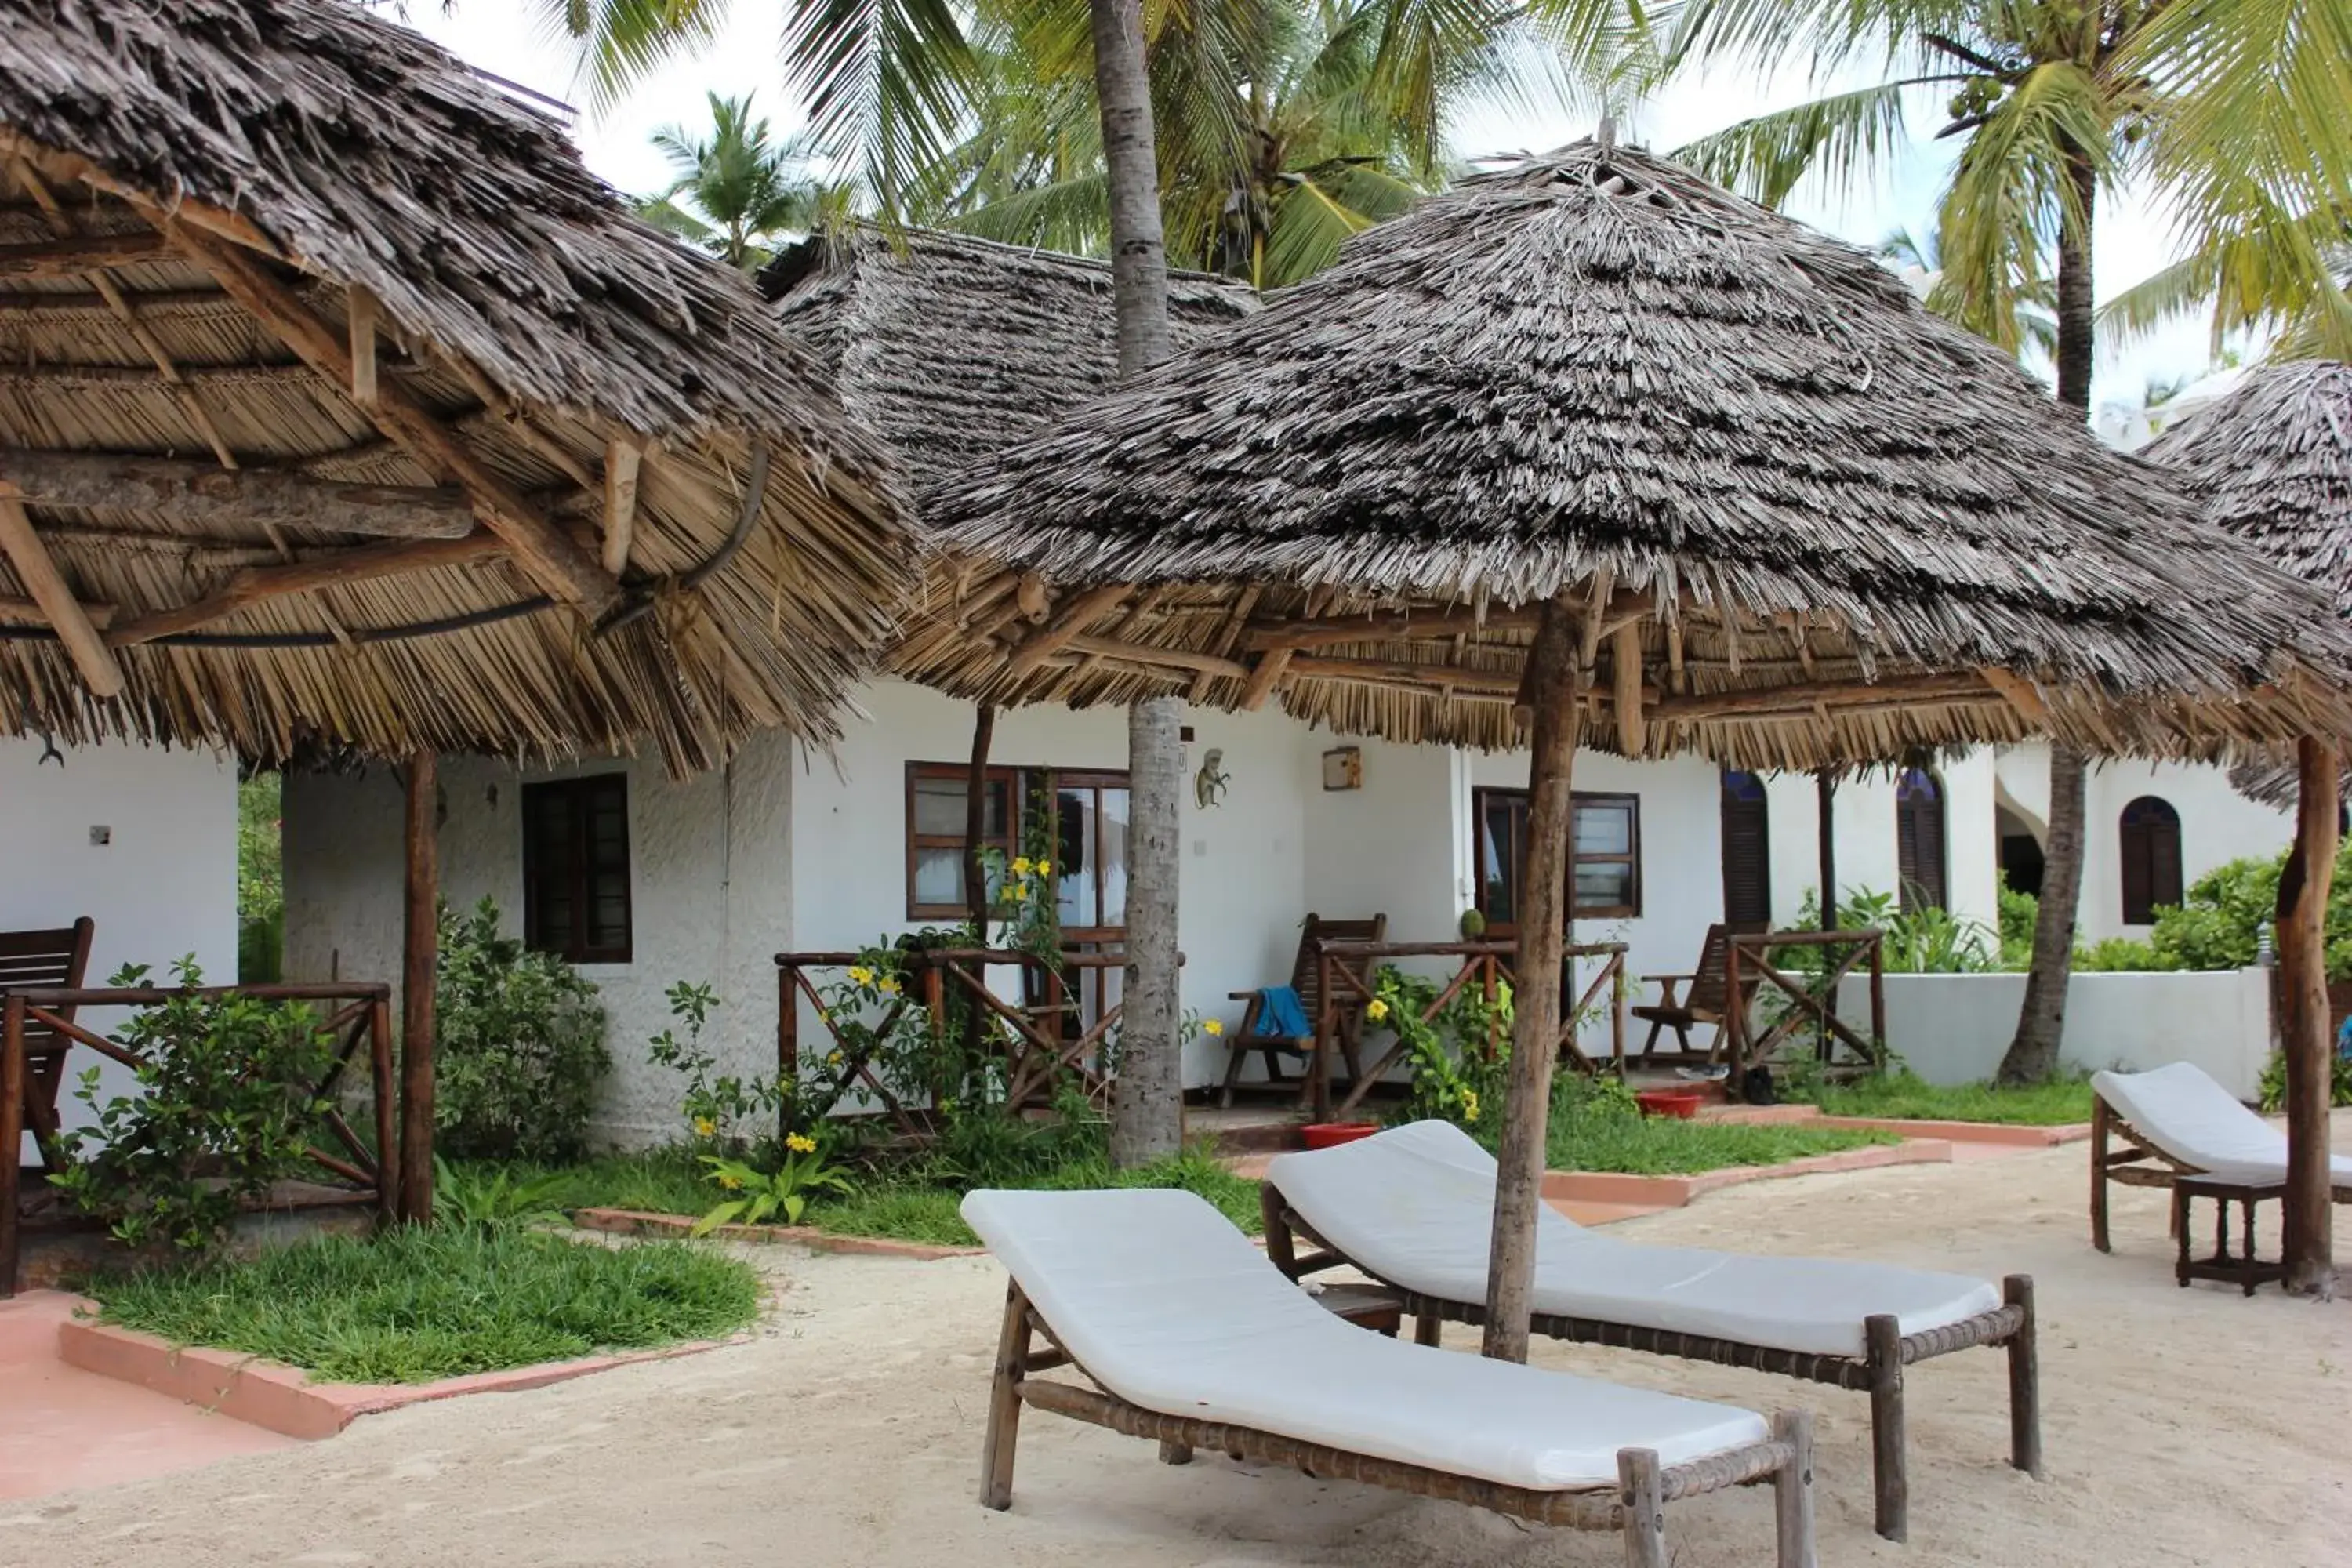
x,y
163,885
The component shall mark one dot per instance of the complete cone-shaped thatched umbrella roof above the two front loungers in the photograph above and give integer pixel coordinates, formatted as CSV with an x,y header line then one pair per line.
x,y
1810,523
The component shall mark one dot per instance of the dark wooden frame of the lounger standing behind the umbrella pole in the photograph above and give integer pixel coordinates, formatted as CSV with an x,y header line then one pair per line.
x,y
1878,1372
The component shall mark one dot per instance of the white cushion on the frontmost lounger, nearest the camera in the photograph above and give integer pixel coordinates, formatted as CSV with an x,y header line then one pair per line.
x,y
1170,1308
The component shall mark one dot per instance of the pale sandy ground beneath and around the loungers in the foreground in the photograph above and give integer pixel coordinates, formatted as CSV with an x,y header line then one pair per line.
x,y
2181,1428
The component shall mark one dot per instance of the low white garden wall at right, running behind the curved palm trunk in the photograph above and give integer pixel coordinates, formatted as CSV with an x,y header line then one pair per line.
x,y
1956,1028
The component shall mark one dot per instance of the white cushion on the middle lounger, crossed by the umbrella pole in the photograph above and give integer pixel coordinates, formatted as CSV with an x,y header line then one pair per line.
x,y
1415,1207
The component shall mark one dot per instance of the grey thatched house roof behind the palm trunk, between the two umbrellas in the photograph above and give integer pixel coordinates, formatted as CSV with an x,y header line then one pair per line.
x,y
954,347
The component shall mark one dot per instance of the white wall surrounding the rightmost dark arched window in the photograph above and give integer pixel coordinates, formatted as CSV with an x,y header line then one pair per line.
x,y
2217,824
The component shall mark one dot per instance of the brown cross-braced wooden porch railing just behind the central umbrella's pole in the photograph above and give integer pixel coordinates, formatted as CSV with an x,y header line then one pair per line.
x,y
1347,972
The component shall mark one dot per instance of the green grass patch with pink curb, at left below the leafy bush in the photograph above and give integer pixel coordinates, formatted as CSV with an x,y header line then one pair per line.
x,y
415,1306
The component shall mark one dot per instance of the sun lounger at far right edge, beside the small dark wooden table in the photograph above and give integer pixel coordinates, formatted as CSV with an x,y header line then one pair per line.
x,y
2179,1123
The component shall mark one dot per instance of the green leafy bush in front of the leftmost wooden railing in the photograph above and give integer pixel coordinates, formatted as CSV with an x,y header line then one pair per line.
x,y
227,1090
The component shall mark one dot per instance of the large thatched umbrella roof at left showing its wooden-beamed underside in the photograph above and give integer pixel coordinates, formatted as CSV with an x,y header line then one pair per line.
x,y
512,471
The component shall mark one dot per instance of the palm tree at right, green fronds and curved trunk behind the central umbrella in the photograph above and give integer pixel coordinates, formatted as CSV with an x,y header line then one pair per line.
x,y
2052,105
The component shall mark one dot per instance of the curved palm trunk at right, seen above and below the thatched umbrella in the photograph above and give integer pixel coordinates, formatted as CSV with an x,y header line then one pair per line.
x,y
2033,1052
